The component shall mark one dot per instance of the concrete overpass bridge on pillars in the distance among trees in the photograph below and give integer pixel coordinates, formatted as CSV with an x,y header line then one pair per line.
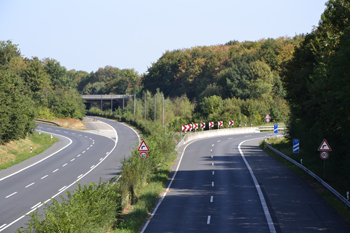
x,y
101,100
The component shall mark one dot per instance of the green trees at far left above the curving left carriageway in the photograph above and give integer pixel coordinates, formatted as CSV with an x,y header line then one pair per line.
x,y
31,88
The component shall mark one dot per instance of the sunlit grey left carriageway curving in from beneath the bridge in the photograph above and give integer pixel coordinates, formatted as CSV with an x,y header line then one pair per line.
x,y
78,157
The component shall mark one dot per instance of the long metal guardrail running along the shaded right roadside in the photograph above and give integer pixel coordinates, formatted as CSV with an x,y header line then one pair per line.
x,y
338,195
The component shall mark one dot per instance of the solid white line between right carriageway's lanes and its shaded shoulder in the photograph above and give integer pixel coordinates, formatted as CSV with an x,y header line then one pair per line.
x,y
258,189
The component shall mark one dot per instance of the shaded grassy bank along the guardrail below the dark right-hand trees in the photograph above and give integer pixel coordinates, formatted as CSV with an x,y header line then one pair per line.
x,y
285,146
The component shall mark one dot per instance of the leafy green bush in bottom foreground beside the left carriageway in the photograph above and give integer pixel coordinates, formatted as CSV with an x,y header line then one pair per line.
x,y
91,208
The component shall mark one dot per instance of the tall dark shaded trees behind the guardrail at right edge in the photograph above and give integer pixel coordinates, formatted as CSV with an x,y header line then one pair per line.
x,y
317,84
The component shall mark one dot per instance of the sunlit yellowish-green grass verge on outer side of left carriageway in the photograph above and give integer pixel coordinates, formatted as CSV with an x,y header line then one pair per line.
x,y
17,151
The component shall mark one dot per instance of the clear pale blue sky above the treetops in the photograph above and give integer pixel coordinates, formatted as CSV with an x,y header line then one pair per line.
x,y
86,35
